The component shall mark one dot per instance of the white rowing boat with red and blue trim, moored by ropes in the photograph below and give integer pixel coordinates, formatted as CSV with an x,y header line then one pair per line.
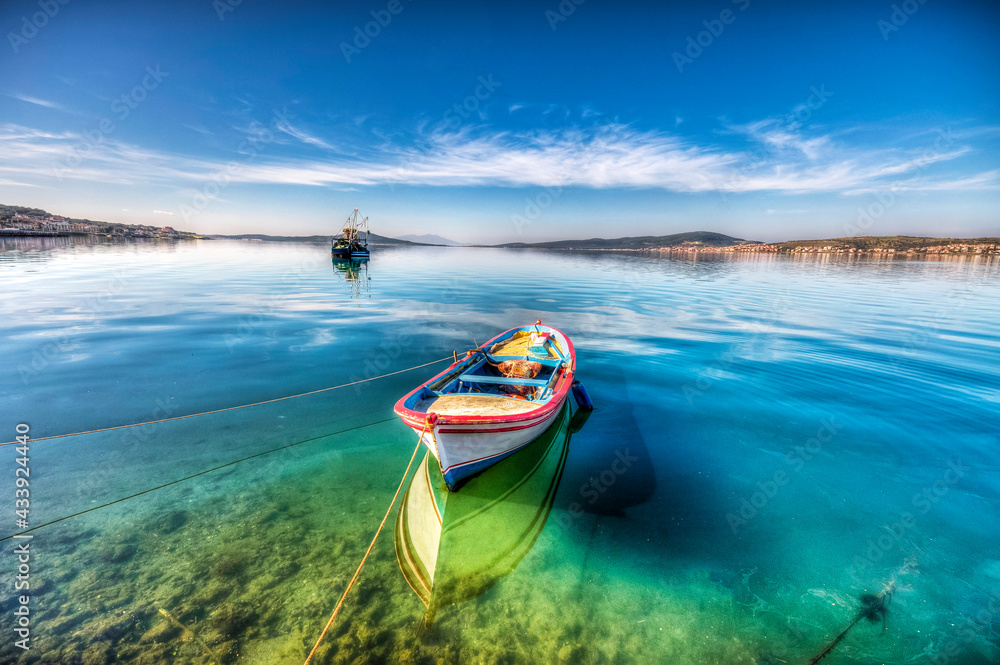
x,y
495,400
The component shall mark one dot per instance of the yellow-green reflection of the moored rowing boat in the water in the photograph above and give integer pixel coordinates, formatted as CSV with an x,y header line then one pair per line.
x,y
454,546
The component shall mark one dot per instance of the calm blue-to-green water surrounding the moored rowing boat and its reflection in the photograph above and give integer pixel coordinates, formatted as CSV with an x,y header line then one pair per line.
x,y
799,431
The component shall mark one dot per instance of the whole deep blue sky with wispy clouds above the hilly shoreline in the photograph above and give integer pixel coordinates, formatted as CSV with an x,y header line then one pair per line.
x,y
507,121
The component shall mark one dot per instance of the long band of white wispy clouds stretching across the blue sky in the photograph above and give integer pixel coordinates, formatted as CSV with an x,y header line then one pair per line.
x,y
612,155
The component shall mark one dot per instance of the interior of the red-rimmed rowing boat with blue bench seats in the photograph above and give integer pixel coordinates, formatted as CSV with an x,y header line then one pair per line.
x,y
514,375
